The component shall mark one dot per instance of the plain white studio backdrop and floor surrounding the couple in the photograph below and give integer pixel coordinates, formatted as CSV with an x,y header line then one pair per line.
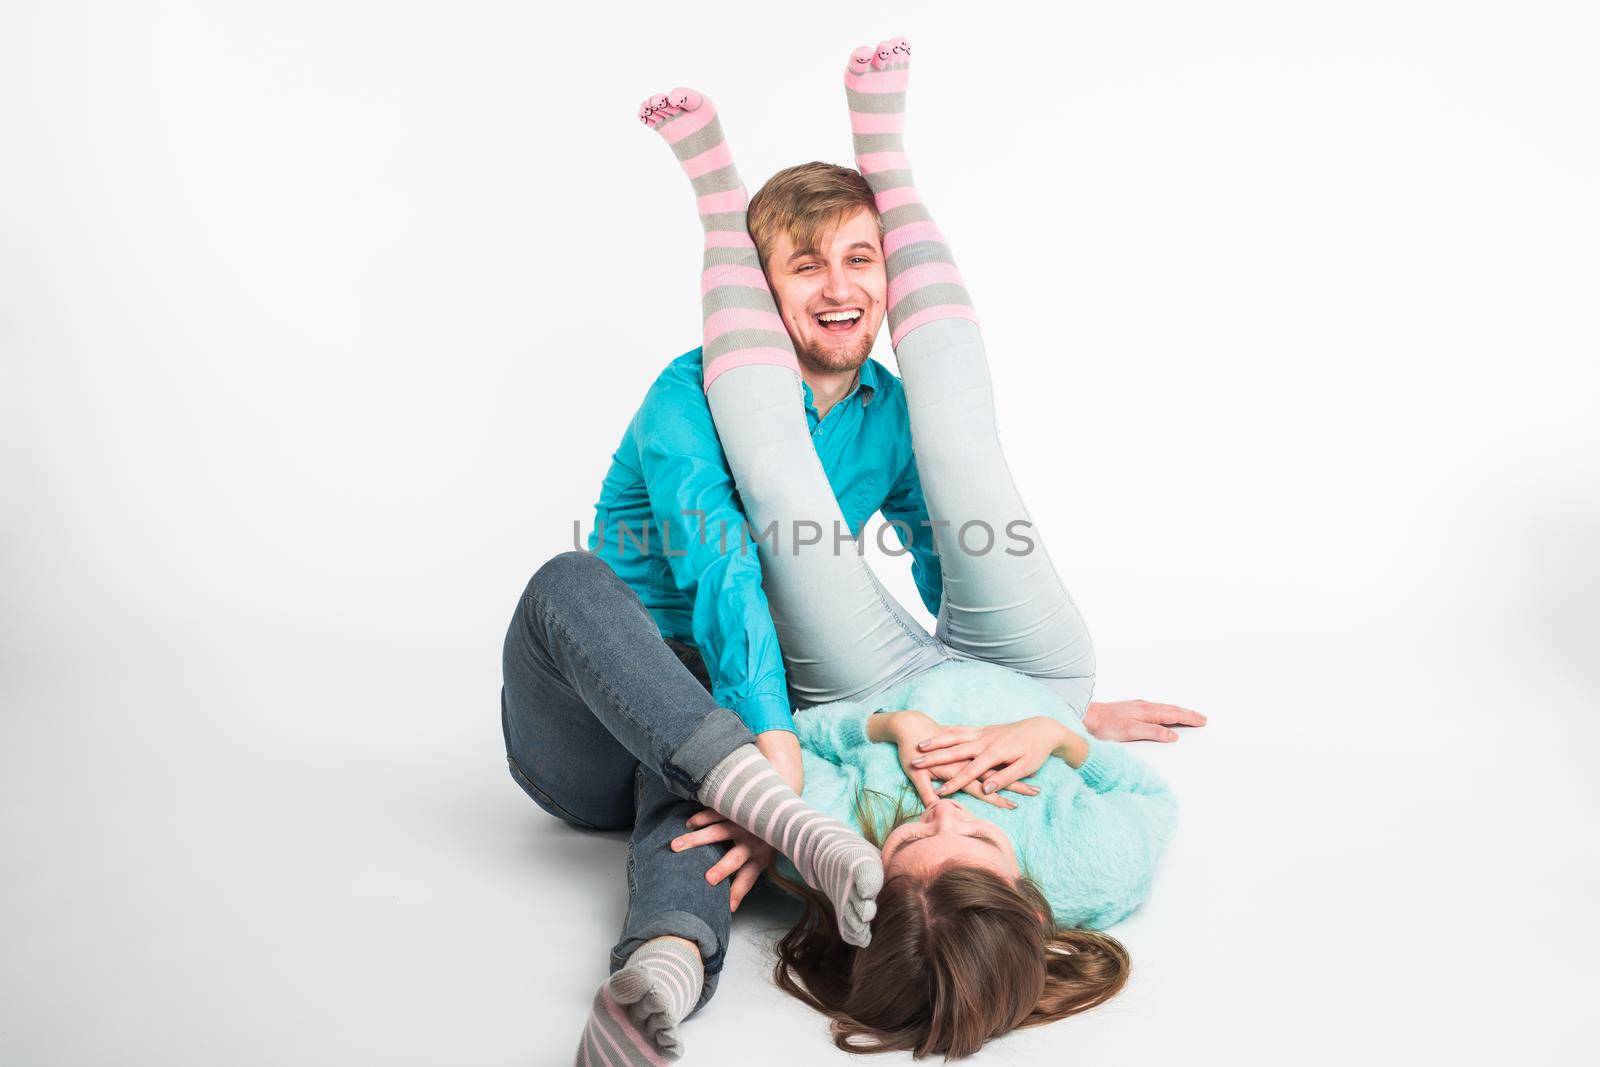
x,y
321,322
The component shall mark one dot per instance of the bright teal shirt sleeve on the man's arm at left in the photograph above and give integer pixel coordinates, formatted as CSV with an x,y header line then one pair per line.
x,y
711,556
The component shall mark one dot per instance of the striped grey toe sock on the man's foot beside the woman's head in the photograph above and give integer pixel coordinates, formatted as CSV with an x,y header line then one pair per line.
x,y
830,855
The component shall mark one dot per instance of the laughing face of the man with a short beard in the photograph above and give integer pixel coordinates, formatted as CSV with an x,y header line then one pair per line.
x,y
833,297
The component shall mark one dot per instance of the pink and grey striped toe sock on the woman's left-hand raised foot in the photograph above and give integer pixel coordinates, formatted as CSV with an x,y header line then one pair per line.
x,y
742,321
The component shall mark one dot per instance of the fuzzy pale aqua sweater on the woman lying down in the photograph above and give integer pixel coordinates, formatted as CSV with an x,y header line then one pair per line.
x,y
1092,839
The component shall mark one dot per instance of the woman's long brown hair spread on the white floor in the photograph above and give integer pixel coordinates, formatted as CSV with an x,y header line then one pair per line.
x,y
956,959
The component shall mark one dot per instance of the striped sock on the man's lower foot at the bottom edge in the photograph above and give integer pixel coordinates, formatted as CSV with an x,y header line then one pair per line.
x,y
638,1012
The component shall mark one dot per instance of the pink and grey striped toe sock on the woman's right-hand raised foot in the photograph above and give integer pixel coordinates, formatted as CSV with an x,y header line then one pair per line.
x,y
924,282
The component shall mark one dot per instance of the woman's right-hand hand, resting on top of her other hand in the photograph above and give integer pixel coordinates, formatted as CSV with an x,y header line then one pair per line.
x,y
998,756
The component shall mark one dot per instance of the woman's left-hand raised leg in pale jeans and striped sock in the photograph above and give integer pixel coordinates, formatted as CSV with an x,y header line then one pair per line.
x,y
844,636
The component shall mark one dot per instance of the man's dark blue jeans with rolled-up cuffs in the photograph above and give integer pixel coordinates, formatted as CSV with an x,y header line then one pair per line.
x,y
609,729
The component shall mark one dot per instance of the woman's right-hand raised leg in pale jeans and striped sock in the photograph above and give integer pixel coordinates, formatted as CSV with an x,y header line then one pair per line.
x,y
1004,601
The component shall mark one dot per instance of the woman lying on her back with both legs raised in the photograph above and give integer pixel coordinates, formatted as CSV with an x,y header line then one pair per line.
x,y
966,946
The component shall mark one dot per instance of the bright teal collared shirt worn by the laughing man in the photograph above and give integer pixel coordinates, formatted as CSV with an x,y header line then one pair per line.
x,y
670,495
